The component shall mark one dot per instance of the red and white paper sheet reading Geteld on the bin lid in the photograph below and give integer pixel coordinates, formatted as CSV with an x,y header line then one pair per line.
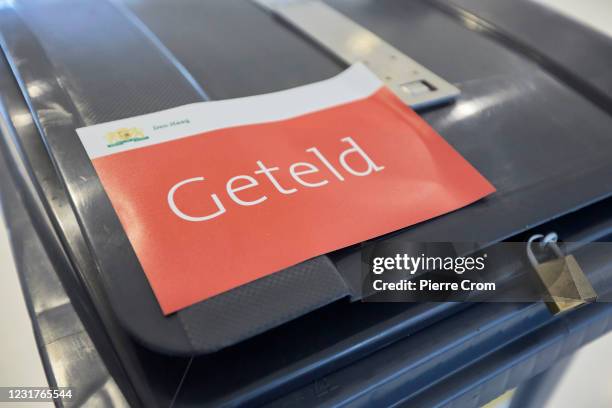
x,y
361,168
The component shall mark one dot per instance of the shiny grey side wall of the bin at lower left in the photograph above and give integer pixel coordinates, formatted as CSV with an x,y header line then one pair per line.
x,y
69,356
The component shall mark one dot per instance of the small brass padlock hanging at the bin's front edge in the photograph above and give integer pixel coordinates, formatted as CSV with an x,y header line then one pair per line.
x,y
564,279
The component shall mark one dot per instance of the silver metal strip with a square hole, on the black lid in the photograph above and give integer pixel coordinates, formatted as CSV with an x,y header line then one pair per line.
x,y
413,83
